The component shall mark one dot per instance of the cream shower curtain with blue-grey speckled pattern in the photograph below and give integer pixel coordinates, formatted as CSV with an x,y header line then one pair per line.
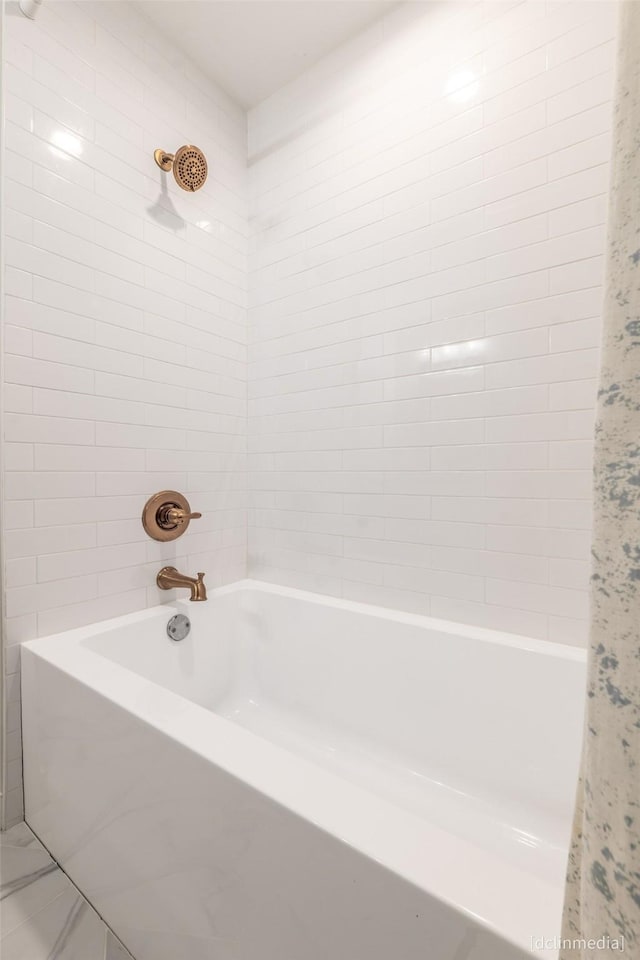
x,y
602,903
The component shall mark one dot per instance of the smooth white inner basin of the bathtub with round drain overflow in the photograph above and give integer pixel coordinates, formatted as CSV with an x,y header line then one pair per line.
x,y
479,735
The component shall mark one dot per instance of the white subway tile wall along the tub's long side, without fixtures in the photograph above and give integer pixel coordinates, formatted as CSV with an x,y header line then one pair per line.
x,y
425,291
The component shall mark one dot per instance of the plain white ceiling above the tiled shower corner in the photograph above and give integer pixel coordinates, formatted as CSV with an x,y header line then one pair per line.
x,y
253,47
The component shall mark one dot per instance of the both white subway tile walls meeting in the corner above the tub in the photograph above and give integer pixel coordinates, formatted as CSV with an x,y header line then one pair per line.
x,y
425,269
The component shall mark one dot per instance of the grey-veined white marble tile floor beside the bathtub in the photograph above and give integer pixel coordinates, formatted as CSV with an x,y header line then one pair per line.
x,y
42,914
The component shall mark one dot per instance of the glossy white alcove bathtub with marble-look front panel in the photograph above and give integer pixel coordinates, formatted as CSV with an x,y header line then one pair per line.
x,y
306,779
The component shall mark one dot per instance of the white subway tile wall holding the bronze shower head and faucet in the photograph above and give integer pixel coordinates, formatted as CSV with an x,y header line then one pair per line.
x,y
125,323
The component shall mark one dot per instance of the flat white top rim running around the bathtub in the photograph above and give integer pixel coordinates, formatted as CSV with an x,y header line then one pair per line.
x,y
527,905
